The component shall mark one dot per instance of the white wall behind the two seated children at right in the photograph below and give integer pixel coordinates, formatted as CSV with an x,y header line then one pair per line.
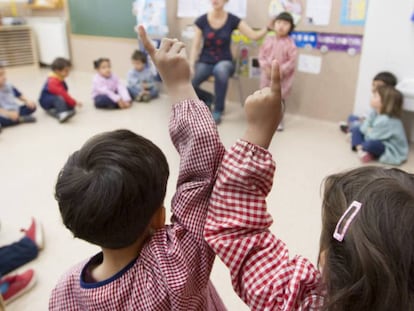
x,y
388,45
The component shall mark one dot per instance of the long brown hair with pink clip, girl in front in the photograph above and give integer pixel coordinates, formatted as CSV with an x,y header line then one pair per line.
x,y
373,267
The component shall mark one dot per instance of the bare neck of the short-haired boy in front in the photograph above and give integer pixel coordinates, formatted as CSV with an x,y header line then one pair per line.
x,y
114,260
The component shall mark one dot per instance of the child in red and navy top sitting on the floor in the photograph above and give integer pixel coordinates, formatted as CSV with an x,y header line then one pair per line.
x,y
54,97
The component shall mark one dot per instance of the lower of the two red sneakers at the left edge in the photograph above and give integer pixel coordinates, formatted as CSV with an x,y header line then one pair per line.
x,y
16,285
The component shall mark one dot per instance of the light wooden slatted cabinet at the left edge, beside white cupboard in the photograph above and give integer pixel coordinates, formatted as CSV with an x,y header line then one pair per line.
x,y
17,46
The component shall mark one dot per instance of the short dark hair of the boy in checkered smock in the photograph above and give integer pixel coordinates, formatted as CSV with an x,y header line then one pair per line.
x,y
109,189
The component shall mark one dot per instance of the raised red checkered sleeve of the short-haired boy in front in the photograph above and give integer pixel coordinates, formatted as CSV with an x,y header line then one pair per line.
x,y
194,134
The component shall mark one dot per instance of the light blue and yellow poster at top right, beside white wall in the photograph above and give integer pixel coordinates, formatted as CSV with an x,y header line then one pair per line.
x,y
353,12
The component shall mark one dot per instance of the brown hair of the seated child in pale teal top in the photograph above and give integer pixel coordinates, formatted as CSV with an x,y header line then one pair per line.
x,y
391,101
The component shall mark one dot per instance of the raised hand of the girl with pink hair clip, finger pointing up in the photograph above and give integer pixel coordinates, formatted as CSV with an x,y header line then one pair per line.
x,y
263,111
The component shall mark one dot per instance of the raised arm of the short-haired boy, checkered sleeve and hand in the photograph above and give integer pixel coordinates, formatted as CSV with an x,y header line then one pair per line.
x,y
193,133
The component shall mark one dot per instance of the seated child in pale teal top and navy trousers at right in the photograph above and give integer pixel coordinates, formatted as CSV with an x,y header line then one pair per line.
x,y
382,136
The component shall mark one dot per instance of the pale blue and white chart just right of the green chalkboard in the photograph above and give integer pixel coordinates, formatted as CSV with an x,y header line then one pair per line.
x,y
153,15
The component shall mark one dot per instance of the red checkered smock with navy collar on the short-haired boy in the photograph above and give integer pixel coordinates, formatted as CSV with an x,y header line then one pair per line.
x,y
173,269
